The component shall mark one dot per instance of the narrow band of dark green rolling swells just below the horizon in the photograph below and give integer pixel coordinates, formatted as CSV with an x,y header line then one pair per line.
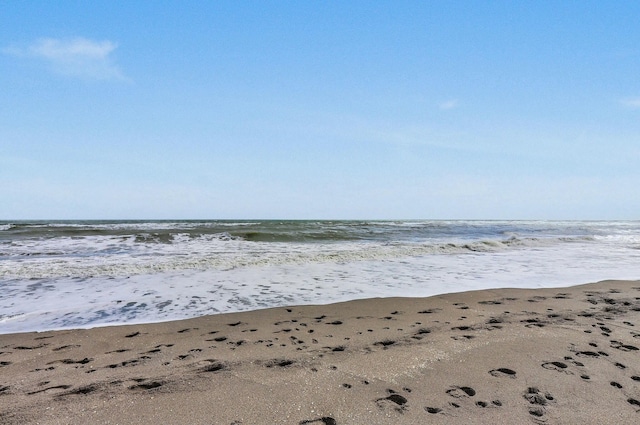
x,y
312,231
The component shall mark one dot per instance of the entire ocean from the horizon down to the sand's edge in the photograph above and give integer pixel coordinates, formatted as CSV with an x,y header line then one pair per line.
x,y
82,274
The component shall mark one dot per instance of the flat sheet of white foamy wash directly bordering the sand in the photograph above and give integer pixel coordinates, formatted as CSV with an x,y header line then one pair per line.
x,y
189,293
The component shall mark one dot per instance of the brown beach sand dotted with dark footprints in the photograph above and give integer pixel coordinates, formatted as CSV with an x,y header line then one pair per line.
x,y
556,356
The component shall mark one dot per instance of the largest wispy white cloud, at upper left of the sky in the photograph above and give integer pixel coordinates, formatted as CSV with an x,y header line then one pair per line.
x,y
78,57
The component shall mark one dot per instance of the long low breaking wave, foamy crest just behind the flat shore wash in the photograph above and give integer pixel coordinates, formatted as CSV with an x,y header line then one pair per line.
x,y
245,256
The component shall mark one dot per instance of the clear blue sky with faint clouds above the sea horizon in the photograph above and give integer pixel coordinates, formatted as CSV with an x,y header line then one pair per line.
x,y
360,109
